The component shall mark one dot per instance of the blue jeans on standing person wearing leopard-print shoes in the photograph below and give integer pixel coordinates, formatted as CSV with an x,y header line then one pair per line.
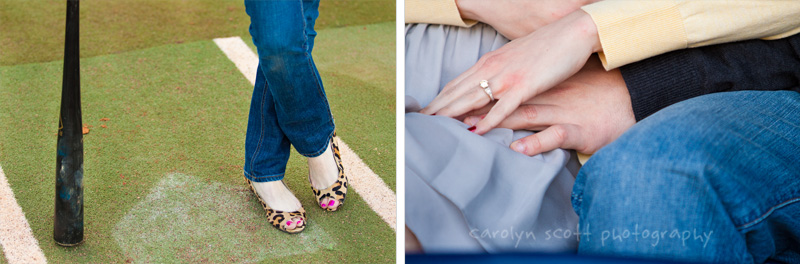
x,y
289,106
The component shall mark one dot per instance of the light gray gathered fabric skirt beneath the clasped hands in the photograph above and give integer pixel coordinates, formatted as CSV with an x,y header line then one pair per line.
x,y
470,193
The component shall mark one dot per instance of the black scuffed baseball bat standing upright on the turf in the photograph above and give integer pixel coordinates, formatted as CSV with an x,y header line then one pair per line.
x,y
68,219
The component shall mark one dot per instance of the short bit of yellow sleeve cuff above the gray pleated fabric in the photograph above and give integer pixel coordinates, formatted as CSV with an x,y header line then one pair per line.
x,y
435,12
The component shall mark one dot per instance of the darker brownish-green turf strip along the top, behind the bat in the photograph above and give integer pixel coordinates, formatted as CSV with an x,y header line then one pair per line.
x,y
33,31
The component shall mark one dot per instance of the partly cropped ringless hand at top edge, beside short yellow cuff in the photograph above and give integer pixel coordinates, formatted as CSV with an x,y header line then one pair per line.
x,y
517,18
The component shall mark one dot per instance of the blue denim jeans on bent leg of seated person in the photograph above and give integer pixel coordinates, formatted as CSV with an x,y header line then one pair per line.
x,y
714,179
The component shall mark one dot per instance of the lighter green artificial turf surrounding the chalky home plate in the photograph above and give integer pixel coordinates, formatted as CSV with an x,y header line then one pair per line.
x,y
177,116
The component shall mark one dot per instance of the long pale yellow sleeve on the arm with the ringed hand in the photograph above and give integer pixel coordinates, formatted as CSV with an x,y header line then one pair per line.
x,y
630,31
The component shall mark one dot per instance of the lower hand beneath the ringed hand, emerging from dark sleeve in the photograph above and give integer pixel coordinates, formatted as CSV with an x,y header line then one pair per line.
x,y
586,112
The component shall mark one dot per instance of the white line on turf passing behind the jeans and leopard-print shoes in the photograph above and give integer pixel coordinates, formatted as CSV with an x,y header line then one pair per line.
x,y
369,185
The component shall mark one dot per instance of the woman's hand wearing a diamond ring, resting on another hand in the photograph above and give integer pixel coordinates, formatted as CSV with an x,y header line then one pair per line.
x,y
520,70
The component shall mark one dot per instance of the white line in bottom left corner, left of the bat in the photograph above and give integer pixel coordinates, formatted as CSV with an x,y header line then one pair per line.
x,y
16,237
